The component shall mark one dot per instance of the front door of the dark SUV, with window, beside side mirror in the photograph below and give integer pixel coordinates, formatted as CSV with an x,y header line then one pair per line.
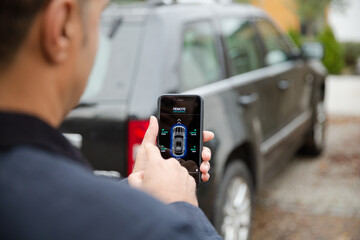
x,y
287,87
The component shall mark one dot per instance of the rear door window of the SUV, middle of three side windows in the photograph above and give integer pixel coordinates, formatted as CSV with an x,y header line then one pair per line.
x,y
241,45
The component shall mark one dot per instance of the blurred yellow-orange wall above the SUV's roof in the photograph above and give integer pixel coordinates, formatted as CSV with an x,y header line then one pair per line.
x,y
282,11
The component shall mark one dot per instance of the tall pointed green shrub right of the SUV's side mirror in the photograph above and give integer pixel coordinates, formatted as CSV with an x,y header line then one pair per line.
x,y
334,54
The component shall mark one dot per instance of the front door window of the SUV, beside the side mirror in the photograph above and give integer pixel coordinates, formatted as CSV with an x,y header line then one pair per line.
x,y
277,50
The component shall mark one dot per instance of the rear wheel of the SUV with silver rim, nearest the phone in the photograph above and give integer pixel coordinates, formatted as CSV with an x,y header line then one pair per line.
x,y
234,209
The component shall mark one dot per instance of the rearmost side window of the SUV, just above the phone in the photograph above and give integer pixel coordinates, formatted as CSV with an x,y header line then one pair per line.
x,y
199,58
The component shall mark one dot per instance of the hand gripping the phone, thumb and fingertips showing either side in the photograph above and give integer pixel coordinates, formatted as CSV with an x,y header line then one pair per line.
x,y
151,136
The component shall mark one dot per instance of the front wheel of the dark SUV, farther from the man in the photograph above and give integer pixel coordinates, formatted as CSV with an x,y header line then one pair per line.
x,y
315,142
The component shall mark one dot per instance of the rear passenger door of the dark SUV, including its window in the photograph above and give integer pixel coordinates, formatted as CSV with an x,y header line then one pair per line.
x,y
256,97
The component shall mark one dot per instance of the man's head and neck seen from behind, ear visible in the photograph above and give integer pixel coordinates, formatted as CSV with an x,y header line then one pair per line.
x,y
47,48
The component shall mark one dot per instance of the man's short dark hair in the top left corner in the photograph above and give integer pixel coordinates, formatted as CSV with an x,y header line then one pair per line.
x,y
16,17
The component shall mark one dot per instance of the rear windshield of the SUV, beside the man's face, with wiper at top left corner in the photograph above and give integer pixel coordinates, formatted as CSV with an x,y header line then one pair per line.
x,y
115,62
